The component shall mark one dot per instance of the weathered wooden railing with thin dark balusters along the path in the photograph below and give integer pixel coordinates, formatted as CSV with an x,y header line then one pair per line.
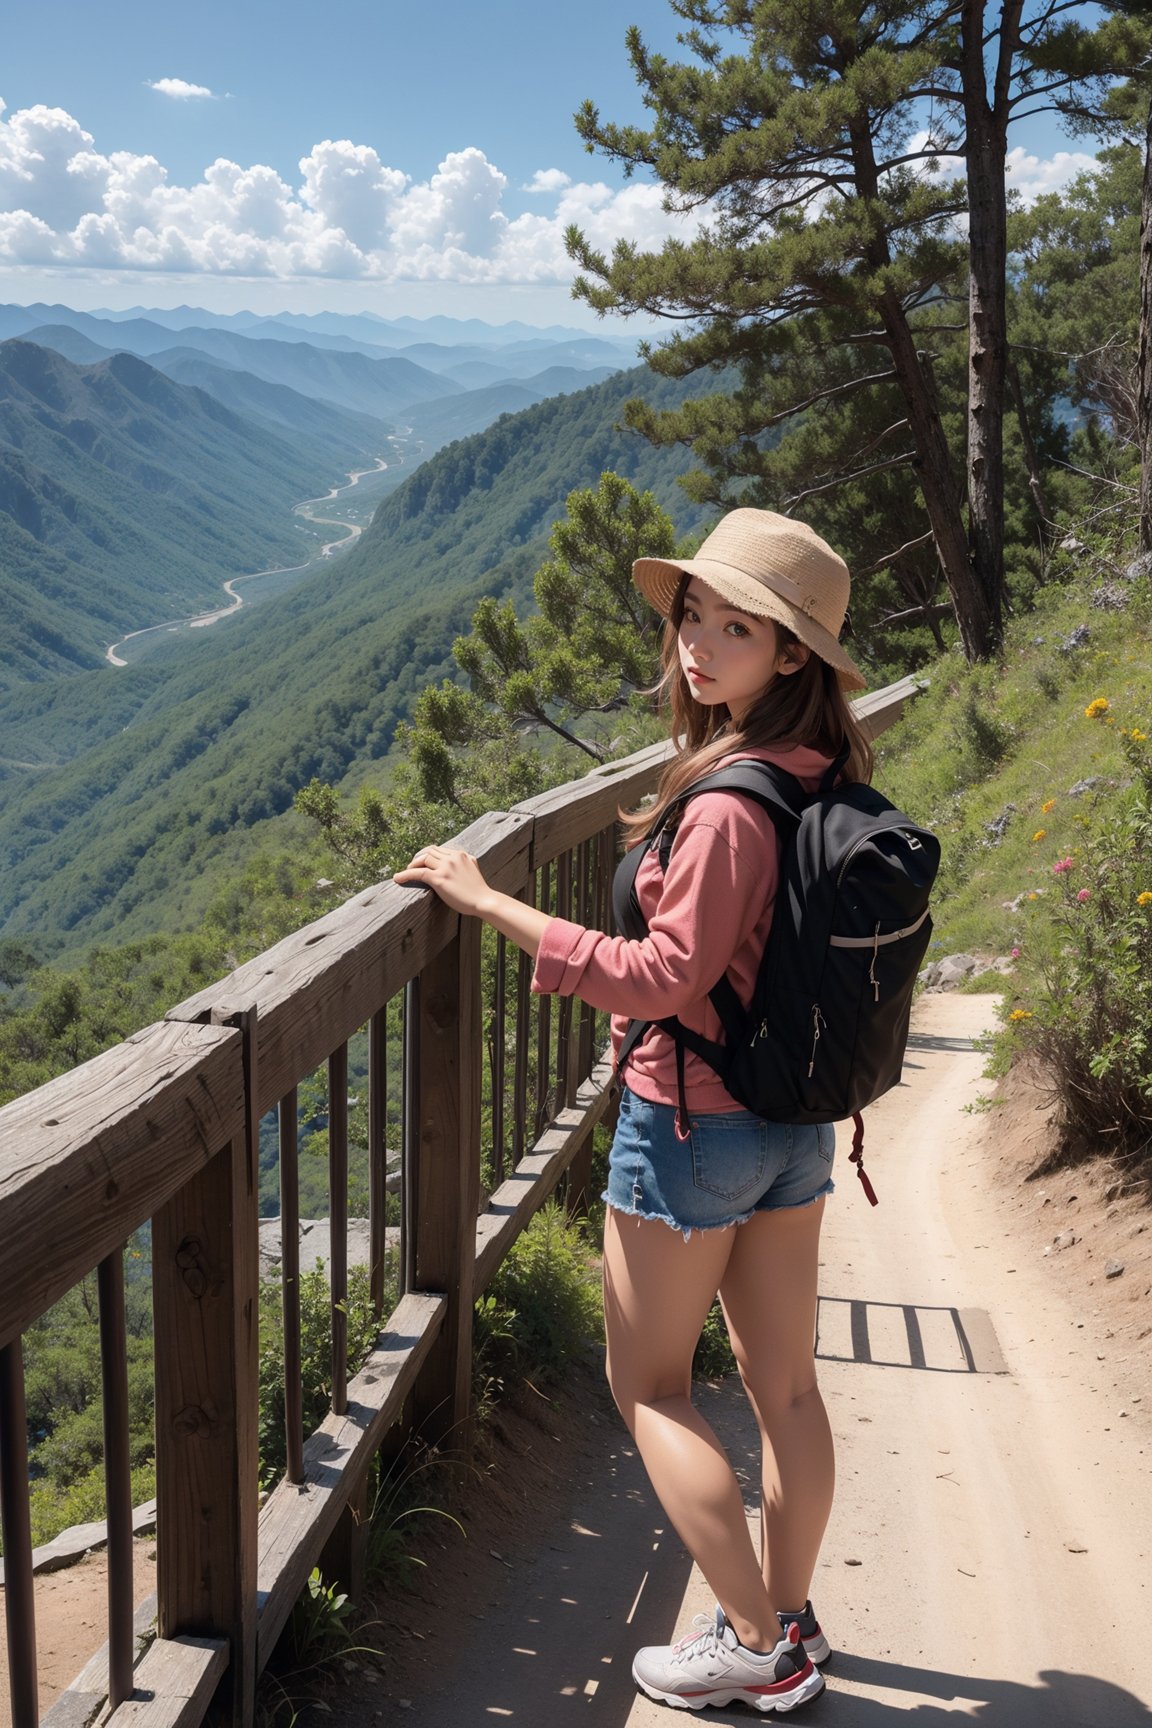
x,y
168,1129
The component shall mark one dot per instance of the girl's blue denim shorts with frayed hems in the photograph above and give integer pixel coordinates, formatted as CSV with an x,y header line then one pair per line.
x,y
731,1166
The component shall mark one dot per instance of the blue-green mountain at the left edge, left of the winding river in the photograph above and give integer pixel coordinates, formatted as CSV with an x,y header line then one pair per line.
x,y
125,500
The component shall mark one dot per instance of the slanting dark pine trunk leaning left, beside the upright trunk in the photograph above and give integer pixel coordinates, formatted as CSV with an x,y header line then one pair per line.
x,y
980,626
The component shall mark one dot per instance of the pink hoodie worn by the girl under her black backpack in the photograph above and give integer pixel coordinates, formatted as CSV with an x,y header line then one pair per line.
x,y
709,915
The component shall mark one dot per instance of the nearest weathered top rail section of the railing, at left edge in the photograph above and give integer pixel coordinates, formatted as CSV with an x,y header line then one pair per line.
x,y
91,1157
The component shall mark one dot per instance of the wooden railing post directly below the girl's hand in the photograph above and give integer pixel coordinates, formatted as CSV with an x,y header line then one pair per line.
x,y
446,1072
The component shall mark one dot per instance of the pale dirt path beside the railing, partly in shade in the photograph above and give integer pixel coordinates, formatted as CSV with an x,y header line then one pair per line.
x,y
989,1554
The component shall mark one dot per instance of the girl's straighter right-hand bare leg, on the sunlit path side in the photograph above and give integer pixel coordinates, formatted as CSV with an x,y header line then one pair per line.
x,y
769,1295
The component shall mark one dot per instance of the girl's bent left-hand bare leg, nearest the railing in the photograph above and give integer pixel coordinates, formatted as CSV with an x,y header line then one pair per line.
x,y
657,1293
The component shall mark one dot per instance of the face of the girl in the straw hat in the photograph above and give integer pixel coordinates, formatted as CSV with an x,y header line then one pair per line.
x,y
730,656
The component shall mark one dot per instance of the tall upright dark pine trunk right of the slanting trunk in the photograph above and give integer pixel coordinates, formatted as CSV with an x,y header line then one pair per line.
x,y
989,253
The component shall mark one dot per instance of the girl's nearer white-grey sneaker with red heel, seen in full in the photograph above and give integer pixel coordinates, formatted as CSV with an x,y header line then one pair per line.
x,y
712,1667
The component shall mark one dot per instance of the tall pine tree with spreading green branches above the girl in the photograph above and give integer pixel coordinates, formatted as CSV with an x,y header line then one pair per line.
x,y
799,134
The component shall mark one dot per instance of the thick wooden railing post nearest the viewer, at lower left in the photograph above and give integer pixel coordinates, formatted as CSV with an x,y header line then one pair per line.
x,y
206,1288
